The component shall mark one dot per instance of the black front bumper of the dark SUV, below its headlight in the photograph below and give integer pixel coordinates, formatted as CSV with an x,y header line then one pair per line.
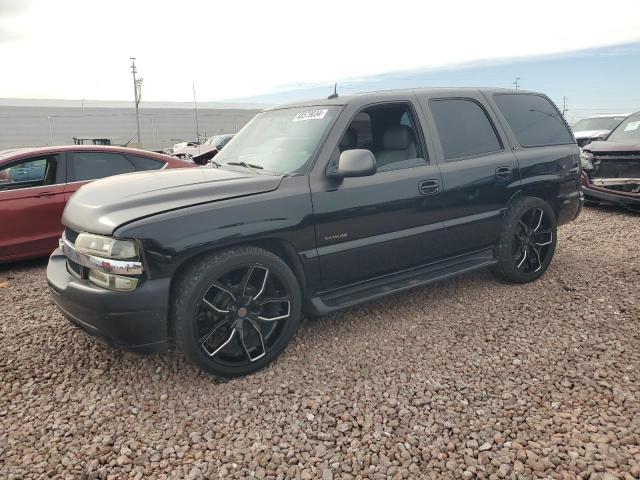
x,y
135,321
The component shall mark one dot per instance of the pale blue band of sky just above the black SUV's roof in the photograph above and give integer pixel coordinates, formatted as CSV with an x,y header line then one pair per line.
x,y
582,83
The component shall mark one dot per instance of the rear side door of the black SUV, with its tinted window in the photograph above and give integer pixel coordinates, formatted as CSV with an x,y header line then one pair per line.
x,y
480,173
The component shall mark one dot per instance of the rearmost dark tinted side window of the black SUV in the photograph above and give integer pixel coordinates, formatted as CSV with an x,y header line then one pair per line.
x,y
534,120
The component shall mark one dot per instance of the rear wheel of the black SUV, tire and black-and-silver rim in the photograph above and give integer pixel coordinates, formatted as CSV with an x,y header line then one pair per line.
x,y
527,242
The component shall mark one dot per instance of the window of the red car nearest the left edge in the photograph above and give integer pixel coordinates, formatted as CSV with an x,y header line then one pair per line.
x,y
32,172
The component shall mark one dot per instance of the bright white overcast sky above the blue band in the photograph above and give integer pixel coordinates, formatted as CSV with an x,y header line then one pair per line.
x,y
74,49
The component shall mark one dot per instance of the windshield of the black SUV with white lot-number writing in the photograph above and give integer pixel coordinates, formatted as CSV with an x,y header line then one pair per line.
x,y
280,140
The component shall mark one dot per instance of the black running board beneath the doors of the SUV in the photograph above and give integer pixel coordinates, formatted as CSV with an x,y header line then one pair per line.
x,y
349,296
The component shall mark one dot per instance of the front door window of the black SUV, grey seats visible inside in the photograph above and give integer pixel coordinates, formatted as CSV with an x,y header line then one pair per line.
x,y
390,132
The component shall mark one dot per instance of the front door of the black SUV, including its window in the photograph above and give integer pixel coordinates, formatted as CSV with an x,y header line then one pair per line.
x,y
375,225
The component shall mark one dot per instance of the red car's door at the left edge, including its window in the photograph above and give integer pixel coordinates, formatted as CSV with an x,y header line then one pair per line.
x,y
31,204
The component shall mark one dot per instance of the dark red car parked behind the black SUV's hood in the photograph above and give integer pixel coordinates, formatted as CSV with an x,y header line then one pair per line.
x,y
35,184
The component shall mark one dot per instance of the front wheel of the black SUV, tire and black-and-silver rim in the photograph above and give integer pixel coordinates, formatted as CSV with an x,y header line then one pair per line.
x,y
234,311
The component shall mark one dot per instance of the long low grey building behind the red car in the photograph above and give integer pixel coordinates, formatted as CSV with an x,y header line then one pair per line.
x,y
29,123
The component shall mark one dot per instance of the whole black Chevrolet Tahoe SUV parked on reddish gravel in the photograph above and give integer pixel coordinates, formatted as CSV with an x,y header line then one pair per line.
x,y
314,207
